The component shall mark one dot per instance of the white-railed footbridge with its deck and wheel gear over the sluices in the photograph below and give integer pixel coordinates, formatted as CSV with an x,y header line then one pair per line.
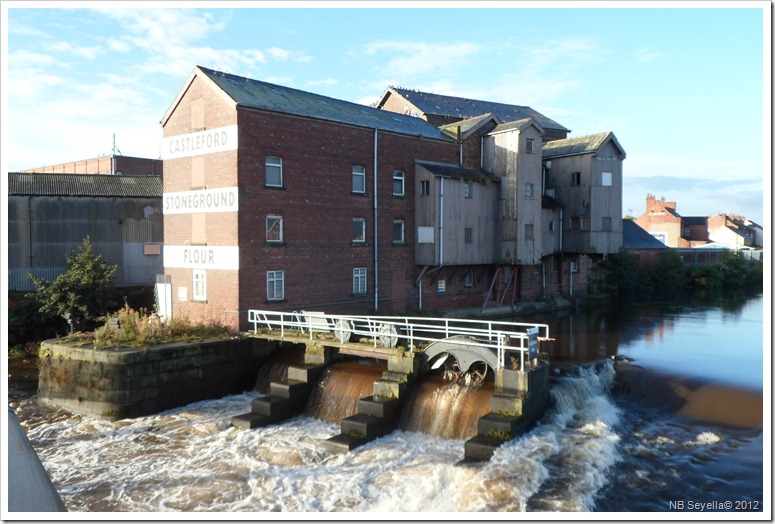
x,y
496,343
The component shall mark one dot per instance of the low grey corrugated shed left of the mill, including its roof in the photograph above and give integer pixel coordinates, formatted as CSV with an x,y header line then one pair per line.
x,y
49,215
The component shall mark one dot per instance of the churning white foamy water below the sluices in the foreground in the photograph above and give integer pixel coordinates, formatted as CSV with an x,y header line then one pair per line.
x,y
191,460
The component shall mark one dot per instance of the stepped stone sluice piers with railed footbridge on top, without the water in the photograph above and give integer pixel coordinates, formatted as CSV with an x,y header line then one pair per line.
x,y
411,346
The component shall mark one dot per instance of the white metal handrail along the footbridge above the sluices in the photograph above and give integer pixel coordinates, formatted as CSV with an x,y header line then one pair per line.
x,y
414,329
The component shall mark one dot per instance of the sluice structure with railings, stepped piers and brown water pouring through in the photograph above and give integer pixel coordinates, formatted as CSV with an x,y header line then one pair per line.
x,y
454,379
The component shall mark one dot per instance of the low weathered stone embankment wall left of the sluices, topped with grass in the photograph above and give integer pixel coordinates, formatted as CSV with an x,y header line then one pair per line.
x,y
123,383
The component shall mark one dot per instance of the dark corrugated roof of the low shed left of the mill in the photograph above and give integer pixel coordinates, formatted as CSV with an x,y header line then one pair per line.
x,y
57,184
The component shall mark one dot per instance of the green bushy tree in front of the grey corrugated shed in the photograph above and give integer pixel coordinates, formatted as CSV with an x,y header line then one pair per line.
x,y
82,294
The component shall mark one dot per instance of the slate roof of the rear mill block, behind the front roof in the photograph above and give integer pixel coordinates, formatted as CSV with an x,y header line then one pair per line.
x,y
457,107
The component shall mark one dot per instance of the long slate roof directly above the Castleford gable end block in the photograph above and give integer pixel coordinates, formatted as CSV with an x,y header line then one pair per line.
x,y
271,97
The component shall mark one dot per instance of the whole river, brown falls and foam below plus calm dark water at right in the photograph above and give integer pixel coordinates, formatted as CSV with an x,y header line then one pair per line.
x,y
674,424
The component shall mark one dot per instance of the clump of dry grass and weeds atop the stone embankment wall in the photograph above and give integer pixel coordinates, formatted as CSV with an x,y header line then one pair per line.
x,y
139,329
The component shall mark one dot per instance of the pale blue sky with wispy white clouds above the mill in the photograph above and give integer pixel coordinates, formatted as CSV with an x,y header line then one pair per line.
x,y
683,88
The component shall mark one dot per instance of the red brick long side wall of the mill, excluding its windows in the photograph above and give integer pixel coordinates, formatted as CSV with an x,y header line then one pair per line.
x,y
318,207
